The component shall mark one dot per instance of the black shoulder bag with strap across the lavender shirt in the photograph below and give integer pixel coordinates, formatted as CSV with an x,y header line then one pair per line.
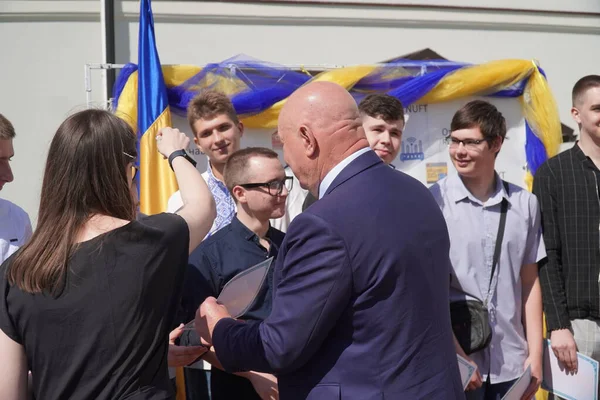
x,y
470,319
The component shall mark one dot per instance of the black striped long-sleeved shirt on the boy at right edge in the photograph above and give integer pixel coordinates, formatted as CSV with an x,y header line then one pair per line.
x,y
567,188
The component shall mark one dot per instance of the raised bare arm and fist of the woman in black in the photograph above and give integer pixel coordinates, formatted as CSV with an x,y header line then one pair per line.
x,y
198,209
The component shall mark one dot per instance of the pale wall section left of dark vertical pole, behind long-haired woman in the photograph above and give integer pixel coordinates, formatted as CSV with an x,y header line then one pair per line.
x,y
41,82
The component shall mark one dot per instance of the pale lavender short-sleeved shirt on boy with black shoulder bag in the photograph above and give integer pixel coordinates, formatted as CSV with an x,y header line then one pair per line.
x,y
473,227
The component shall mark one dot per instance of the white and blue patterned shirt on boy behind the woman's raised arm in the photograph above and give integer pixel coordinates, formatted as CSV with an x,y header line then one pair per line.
x,y
226,208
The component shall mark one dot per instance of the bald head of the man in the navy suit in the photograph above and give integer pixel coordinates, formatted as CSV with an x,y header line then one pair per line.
x,y
319,126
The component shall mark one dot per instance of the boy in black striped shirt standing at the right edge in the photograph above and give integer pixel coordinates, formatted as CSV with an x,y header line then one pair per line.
x,y
567,186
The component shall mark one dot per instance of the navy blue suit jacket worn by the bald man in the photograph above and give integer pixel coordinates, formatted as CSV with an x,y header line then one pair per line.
x,y
360,307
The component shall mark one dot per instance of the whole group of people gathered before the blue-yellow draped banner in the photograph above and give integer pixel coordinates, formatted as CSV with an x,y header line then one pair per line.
x,y
92,301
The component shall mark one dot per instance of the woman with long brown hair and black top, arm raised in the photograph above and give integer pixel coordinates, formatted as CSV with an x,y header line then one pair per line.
x,y
87,304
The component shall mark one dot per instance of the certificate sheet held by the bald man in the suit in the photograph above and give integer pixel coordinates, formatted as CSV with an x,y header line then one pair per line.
x,y
240,292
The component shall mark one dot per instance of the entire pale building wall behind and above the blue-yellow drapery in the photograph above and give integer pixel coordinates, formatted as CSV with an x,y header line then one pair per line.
x,y
50,41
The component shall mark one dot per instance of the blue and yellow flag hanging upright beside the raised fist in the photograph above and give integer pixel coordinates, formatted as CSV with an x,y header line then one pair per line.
x,y
157,181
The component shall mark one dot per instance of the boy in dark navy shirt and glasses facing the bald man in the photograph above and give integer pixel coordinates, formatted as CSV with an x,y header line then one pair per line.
x,y
258,183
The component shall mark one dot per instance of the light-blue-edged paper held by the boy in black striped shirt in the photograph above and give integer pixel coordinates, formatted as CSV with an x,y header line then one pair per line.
x,y
580,386
